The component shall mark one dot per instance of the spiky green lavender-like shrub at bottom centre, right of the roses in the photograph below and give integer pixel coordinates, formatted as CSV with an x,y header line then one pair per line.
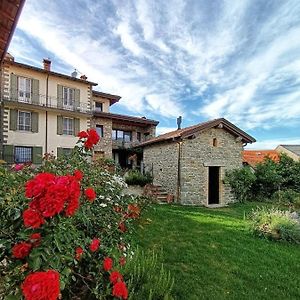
x,y
147,278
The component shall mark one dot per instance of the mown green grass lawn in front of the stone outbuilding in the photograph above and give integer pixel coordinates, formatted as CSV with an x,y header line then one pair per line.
x,y
212,254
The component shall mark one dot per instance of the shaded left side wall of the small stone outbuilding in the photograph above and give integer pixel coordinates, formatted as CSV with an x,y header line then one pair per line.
x,y
164,159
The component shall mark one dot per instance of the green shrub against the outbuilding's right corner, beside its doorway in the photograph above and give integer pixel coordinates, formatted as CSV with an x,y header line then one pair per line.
x,y
241,181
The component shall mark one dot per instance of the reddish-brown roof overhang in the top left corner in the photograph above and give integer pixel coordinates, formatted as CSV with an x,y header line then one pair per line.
x,y
9,15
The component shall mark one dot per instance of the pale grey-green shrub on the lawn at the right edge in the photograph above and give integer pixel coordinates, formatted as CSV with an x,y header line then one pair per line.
x,y
275,224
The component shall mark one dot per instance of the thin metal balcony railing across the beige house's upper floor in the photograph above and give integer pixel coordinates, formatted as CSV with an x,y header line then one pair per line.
x,y
50,102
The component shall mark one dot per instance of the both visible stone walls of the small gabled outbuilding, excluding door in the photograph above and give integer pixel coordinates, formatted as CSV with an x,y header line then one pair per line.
x,y
197,155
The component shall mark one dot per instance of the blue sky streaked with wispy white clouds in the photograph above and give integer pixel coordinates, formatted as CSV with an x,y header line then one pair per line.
x,y
199,59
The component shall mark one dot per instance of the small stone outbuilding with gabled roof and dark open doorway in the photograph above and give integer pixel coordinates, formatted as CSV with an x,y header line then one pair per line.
x,y
190,163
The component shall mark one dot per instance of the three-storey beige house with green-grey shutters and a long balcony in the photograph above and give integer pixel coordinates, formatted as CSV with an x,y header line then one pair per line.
x,y
42,111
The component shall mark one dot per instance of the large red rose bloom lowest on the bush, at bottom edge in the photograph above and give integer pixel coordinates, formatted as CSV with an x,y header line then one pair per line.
x,y
41,286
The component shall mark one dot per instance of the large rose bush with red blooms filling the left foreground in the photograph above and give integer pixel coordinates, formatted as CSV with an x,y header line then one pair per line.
x,y
65,228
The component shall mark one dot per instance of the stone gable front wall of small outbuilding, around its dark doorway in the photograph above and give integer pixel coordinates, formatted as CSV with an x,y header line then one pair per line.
x,y
198,155
